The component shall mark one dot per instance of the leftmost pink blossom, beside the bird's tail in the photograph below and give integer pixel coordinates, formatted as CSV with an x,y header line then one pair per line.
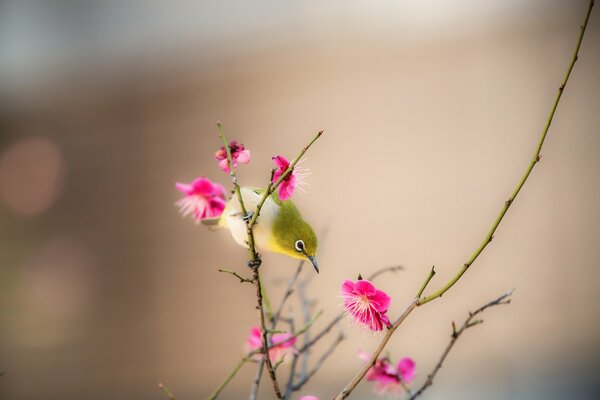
x,y
203,199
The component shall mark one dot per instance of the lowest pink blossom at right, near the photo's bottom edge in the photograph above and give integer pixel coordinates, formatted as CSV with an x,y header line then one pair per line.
x,y
387,377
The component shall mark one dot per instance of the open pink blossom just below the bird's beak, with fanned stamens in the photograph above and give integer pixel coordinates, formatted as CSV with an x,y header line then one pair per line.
x,y
367,304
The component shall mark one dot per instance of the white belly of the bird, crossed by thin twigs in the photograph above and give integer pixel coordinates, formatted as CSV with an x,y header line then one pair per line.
x,y
264,224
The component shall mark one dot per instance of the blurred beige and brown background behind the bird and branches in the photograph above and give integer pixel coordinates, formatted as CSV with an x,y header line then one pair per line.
x,y
431,112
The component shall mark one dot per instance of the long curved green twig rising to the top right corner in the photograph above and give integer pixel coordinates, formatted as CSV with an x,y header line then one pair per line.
x,y
534,160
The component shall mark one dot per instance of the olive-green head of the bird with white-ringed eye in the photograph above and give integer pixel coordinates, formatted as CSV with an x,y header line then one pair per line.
x,y
293,236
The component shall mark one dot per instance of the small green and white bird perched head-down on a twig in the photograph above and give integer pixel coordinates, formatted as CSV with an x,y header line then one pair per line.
x,y
279,227
